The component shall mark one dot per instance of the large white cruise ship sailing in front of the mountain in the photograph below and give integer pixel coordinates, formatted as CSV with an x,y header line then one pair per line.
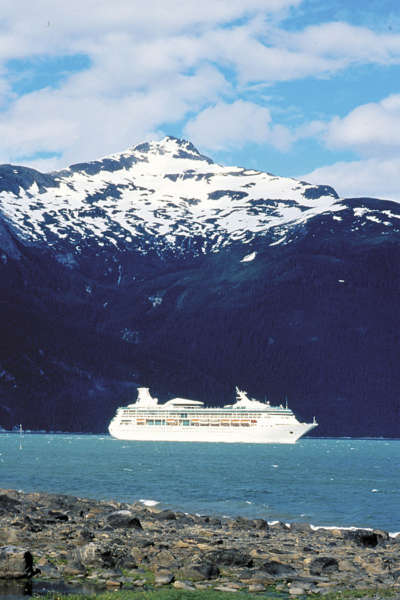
x,y
181,420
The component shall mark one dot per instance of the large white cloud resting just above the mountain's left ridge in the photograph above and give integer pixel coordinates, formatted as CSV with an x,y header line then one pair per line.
x,y
83,124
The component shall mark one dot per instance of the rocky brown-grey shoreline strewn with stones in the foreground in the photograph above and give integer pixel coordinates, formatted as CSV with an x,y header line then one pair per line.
x,y
59,537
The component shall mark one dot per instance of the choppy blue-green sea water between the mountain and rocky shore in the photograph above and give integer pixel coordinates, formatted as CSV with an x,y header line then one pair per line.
x,y
330,482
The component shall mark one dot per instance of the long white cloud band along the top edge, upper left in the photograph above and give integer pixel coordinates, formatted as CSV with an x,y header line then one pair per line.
x,y
45,26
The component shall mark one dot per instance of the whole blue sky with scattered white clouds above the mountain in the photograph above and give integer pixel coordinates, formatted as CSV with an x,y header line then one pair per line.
x,y
303,88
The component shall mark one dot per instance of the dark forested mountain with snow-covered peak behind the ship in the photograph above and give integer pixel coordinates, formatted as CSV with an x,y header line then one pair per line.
x,y
158,267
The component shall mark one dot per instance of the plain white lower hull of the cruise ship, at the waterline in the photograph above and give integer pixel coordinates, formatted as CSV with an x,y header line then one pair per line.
x,y
263,435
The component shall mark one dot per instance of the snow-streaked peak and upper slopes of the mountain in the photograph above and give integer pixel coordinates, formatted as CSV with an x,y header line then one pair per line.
x,y
166,190
